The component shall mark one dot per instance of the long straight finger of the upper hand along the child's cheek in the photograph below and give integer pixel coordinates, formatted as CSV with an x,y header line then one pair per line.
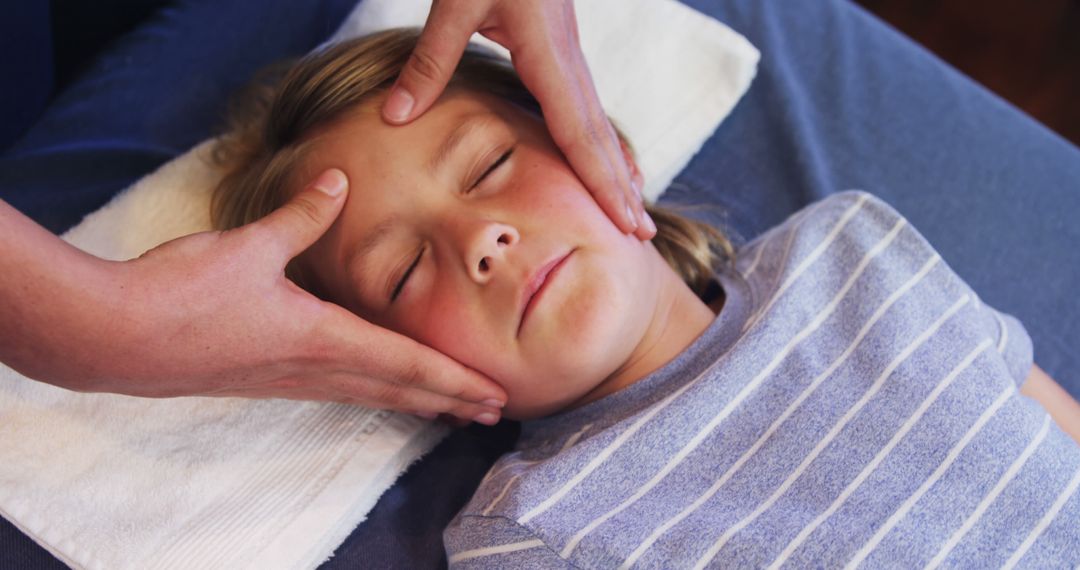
x,y
548,65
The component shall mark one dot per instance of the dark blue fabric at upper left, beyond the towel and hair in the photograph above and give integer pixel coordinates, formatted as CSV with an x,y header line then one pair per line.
x,y
151,97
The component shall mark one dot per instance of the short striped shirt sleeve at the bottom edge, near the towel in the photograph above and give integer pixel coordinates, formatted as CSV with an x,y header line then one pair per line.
x,y
479,542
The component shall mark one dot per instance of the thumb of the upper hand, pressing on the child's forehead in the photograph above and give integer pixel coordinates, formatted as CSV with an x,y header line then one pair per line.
x,y
438,52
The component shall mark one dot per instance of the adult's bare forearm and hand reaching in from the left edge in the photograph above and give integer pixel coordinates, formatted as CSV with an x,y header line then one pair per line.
x,y
212,315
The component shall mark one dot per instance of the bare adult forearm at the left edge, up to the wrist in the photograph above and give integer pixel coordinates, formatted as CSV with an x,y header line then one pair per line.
x,y
53,304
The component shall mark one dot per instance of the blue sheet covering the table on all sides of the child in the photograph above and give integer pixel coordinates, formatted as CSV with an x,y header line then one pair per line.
x,y
841,102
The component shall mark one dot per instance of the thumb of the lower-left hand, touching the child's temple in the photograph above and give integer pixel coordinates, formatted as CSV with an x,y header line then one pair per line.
x,y
306,218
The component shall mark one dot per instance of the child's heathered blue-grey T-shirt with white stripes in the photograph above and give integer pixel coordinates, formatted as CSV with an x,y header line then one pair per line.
x,y
854,405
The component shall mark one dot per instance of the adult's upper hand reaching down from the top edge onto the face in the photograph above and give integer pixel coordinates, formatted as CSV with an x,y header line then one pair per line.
x,y
543,39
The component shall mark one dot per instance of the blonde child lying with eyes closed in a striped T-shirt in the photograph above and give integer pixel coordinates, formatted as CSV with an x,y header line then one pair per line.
x,y
832,396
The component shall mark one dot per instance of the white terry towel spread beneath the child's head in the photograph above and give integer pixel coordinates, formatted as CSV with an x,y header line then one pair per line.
x,y
115,482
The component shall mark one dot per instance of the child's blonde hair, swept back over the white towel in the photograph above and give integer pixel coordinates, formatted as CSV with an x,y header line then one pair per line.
x,y
269,123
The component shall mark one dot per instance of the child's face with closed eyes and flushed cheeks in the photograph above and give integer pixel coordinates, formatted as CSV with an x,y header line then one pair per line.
x,y
475,203
